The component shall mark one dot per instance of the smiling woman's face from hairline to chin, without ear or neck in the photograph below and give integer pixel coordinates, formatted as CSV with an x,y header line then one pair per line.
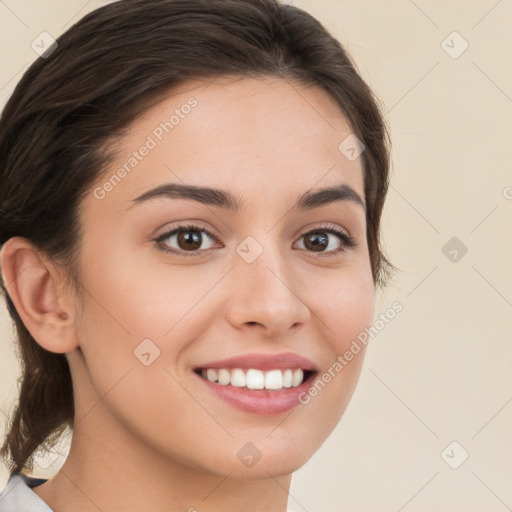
x,y
259,276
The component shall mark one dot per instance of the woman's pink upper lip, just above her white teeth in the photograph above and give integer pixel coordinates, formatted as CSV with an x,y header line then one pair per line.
x,y
263,362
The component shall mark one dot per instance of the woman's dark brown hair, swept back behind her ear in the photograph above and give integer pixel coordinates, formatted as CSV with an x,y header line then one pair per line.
x,y
104,72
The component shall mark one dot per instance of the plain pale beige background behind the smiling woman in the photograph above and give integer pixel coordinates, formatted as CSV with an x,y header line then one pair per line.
x,y
440,371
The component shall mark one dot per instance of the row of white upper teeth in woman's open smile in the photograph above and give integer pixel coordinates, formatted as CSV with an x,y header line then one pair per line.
x,y
255,379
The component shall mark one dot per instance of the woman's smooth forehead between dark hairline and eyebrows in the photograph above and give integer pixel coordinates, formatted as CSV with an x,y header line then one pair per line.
x,y
243,134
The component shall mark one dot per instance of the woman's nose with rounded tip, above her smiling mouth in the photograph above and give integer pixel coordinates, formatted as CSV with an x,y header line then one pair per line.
x,y
263,296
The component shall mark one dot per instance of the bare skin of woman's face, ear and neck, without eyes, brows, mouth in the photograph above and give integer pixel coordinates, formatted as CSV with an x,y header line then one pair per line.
x,y
154,437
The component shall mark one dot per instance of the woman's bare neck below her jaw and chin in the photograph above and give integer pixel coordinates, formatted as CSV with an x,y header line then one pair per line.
x,y
115,471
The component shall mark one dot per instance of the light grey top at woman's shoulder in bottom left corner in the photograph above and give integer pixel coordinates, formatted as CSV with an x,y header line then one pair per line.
x,y
18,495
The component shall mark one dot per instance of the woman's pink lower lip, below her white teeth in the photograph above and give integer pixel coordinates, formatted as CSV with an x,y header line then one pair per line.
x,y
259,401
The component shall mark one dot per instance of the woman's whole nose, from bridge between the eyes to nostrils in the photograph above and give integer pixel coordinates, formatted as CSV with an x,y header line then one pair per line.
x,y
263,291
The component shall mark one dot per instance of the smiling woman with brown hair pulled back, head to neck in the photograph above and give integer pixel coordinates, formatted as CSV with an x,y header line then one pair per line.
x,y
190,227
